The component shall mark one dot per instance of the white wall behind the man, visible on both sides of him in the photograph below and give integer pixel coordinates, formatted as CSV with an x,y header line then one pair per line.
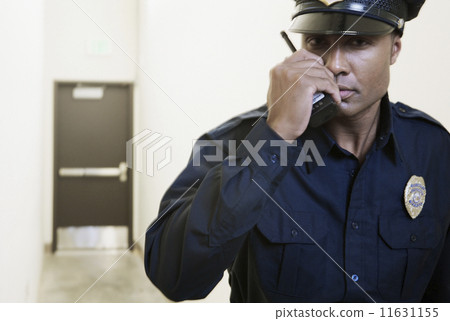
x,y
212,59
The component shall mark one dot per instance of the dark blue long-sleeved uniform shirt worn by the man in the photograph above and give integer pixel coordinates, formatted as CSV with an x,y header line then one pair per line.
x,y
310,233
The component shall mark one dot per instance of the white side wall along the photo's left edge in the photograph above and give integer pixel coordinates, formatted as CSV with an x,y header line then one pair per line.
x,y
21,132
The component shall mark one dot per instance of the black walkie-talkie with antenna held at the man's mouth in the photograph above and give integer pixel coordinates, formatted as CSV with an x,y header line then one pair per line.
x,y
324,108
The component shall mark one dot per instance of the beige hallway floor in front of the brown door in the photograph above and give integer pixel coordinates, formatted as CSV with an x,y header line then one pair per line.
x,y
103,276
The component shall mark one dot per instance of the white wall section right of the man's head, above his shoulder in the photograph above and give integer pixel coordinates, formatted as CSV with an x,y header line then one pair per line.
x,y
420,76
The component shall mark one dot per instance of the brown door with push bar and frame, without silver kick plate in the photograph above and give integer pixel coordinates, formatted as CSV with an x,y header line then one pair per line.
x,y
92,185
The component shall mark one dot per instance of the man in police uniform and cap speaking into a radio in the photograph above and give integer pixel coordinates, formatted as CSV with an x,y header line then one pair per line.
x,y
355,210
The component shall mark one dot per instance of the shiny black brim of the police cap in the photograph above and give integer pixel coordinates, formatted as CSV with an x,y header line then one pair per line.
x,y
338,23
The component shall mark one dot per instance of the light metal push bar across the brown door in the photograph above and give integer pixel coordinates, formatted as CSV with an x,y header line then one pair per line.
x,y
120,172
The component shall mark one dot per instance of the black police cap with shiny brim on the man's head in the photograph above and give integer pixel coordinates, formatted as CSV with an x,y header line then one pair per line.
x,y
353,17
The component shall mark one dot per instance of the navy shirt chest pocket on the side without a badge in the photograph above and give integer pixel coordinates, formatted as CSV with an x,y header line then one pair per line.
x,y
300,270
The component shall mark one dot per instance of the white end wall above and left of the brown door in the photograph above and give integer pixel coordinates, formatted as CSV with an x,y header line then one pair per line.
x,y
70,26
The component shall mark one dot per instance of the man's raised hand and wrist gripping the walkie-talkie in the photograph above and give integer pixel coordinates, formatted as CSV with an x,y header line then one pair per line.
x,y
292,86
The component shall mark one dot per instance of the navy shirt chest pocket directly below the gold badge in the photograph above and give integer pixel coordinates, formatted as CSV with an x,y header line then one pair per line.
x,y
404,247
